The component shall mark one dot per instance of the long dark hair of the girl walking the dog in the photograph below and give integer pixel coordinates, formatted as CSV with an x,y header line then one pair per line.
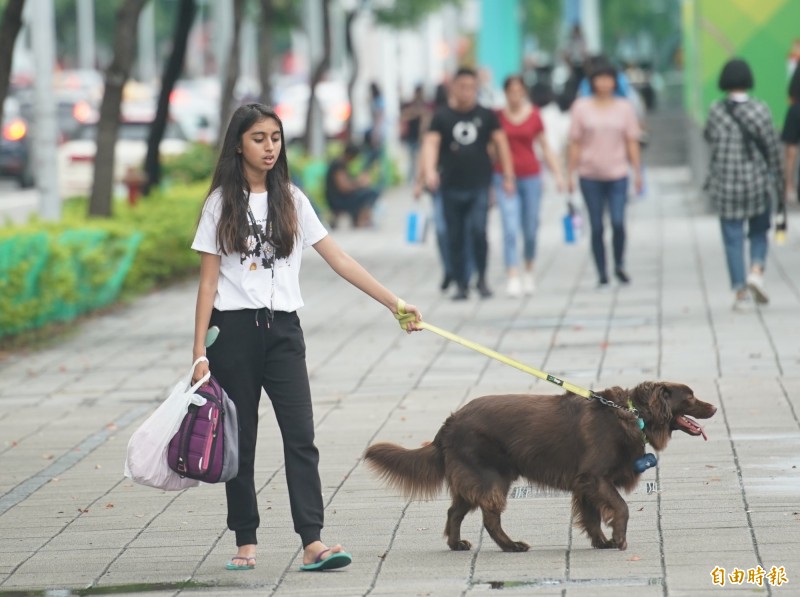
x,y
233,227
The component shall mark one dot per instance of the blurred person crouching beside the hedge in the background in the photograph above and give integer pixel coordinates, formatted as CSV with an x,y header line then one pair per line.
x,y
347,193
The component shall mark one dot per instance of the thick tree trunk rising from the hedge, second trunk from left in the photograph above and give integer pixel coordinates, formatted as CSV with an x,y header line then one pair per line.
x,y
108,125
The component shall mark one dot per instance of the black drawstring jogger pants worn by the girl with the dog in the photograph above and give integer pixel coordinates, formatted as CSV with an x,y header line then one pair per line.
x,y
249,355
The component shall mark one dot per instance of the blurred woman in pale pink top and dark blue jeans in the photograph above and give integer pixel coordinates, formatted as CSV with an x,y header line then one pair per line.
x,y
603,149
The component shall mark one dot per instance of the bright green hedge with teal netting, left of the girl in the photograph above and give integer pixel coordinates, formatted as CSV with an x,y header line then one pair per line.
x,y
53,272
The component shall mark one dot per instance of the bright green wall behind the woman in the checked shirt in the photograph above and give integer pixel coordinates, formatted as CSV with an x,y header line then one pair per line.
x,y
760,31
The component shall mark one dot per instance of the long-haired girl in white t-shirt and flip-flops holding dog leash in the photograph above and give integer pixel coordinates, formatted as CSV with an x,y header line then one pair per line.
x,y
251,234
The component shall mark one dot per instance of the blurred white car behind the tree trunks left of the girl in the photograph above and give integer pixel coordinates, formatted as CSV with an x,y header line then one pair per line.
x,y
76,157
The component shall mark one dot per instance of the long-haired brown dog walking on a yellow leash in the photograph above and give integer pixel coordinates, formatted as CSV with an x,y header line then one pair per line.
x,y
564,442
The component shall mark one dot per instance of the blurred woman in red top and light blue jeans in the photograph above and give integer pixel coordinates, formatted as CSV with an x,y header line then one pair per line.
x,y
523,126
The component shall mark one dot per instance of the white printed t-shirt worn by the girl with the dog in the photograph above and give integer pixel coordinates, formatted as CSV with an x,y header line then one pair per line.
x,y
246,279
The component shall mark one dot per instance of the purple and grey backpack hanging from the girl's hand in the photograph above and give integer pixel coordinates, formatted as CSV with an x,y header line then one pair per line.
x,y
206,446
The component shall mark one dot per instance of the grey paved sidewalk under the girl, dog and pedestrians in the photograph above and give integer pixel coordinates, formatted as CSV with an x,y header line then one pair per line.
x,y
70,521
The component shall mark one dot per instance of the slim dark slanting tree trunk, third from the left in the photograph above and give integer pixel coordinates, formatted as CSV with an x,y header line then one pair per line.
x,y
172,71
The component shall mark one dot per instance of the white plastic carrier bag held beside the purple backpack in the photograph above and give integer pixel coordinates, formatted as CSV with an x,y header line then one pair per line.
x,y
146,460
